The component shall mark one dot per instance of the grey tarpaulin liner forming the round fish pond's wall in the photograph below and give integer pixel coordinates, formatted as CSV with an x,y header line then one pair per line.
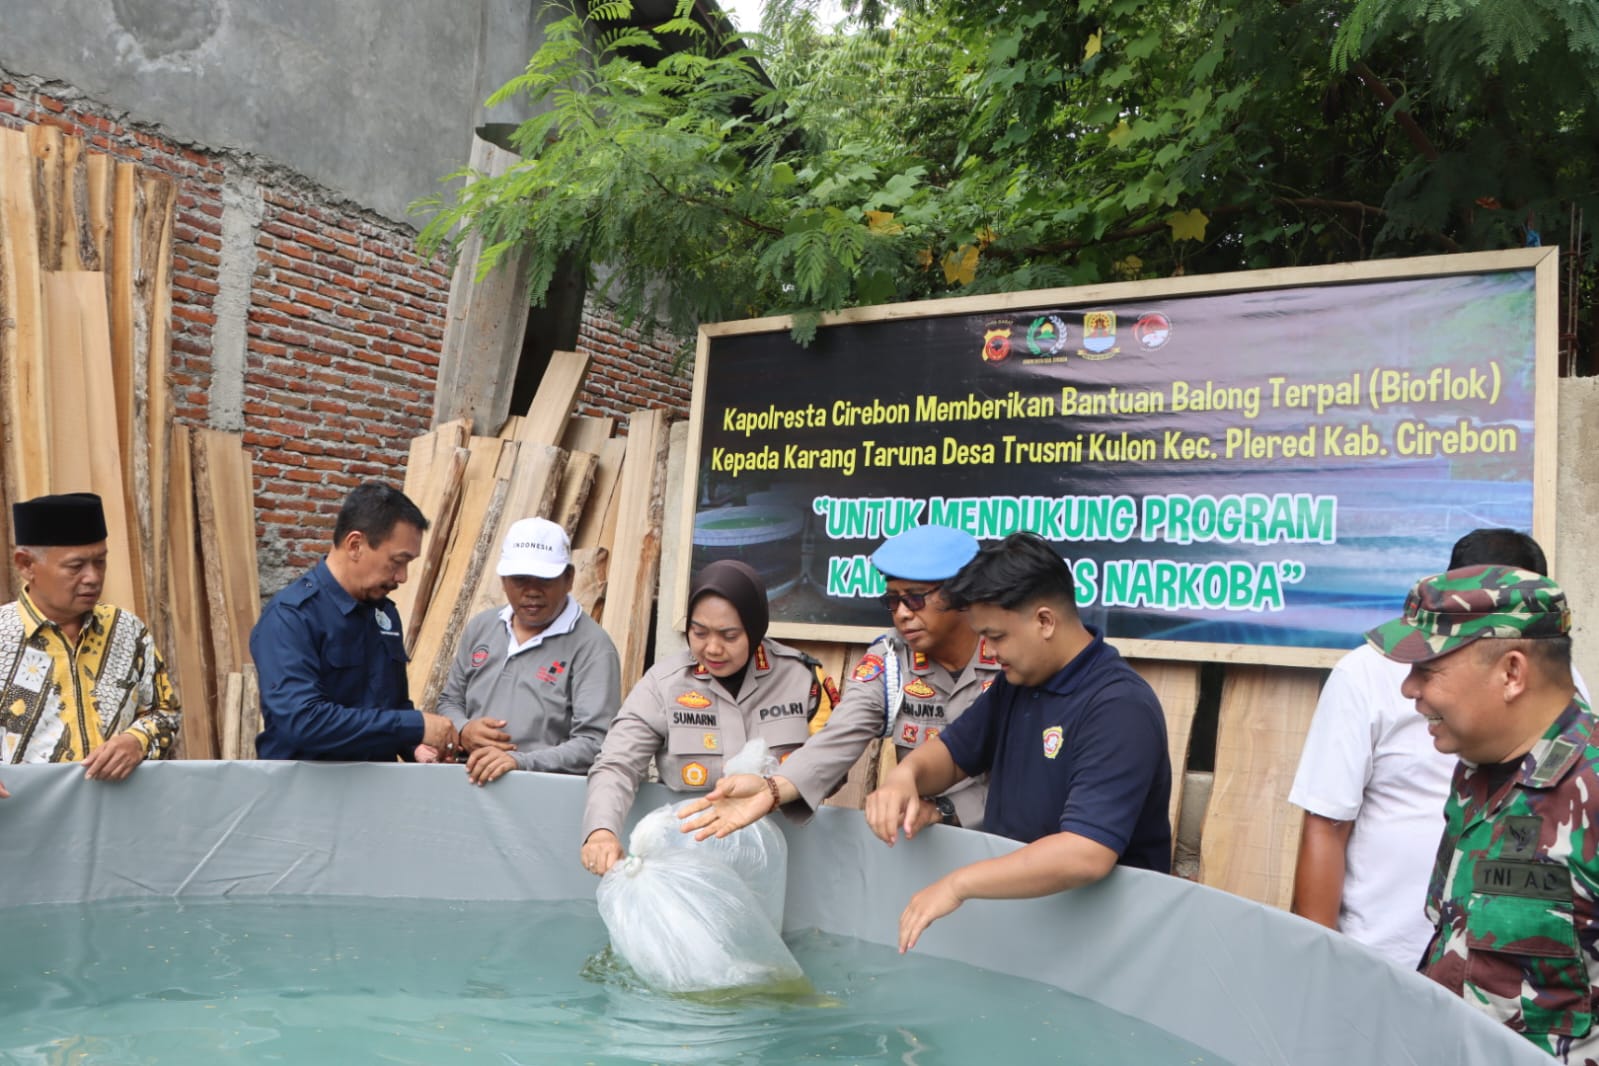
x,y
1245,982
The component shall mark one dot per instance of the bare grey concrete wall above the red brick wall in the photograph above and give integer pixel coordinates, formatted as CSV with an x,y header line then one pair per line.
x,y
375,100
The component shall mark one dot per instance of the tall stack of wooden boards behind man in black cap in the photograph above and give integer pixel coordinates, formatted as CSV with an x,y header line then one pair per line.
x,y
86,346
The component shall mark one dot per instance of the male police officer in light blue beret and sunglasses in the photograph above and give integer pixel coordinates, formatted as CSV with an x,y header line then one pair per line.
x,y
919,678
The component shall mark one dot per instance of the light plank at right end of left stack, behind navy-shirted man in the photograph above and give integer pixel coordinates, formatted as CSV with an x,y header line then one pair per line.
x,y
226,509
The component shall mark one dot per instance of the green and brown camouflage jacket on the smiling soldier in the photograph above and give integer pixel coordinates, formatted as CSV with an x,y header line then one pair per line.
x,y
1515,893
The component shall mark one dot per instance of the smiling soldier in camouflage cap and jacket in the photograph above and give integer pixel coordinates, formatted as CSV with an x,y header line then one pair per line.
x,y
1515,893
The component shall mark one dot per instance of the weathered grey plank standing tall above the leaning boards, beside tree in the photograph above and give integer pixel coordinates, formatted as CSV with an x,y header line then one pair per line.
x,y
485,322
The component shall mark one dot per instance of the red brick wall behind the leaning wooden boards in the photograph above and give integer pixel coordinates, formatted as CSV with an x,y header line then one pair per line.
x,y
337,325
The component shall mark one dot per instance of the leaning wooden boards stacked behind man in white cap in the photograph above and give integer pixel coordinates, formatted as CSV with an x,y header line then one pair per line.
x,y
608,493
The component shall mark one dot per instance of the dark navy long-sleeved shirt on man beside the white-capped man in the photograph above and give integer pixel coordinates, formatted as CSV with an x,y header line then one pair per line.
x,y
333,678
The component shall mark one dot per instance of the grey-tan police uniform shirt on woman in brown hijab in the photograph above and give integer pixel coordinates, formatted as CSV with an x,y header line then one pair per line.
x,y
688,723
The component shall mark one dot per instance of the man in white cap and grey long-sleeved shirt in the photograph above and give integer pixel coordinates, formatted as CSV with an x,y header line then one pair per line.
x,y
535,683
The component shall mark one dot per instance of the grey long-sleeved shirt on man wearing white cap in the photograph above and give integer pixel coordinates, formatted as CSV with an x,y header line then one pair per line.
x,y
557,693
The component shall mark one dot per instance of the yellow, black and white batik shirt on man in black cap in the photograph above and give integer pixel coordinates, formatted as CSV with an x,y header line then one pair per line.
x,y
60,702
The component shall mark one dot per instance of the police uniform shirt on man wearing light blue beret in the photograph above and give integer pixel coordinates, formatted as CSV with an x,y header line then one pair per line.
x,y
930,699
